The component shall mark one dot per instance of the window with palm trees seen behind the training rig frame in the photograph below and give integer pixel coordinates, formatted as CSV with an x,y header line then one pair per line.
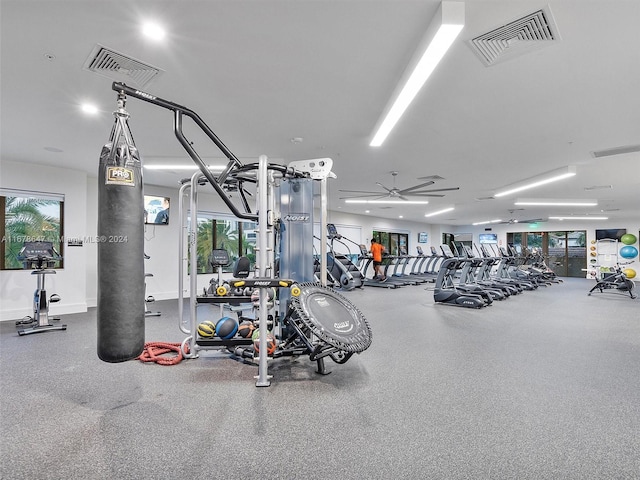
x,y
218,231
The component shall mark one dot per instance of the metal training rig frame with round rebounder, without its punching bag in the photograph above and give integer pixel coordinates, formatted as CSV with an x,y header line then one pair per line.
x,y
312,317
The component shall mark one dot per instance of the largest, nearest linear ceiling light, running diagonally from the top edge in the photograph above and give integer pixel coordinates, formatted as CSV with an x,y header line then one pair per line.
x,y
443,30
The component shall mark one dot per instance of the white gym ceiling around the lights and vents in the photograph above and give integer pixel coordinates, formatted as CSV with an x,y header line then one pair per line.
x,y
262,72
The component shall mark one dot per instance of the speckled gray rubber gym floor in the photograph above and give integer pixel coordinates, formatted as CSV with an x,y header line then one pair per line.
x,y
545,385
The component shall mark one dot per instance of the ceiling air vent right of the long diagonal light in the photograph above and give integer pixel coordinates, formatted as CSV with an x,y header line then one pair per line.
x,y
521,36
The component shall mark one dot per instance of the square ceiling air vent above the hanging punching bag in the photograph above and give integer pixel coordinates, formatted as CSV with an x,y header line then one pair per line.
x,y
120,67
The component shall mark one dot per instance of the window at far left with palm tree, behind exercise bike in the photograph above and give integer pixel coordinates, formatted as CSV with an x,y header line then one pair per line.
x,y
29,217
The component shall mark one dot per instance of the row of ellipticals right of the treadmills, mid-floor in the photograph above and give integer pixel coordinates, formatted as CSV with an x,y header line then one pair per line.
x,y
475,281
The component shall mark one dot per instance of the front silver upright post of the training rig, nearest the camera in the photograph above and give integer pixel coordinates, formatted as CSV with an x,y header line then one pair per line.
x,y
263,205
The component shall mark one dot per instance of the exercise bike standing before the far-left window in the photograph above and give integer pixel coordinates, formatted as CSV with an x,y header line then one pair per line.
x,y
41,257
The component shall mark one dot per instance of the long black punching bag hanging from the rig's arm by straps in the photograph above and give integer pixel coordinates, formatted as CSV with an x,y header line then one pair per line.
x,y
120,313
